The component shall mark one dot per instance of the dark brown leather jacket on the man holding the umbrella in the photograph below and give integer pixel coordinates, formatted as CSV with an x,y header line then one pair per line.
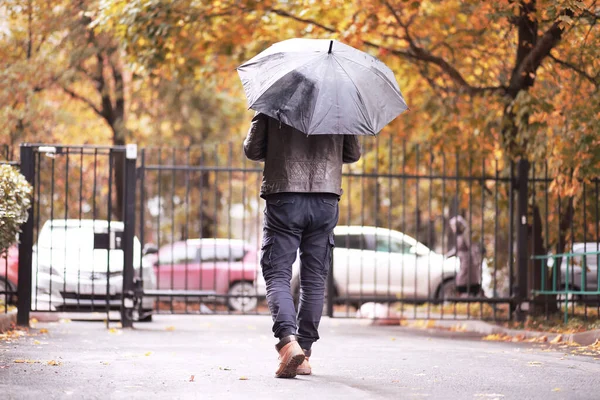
x,y
296,162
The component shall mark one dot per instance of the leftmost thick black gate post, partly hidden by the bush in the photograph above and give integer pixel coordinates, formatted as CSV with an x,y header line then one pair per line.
x,y
26,243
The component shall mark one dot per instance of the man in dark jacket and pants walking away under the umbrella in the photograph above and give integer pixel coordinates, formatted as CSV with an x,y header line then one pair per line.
x,y
301,184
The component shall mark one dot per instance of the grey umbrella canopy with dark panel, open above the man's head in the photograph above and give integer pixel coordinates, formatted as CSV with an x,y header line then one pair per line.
x,y
321,86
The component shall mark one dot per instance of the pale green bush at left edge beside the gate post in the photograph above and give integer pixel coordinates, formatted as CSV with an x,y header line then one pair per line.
x,y
15,199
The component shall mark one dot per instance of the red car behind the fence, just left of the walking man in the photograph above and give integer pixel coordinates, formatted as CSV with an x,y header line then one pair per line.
x,y
225,266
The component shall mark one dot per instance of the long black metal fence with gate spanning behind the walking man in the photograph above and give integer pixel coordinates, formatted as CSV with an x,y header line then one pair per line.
x,y
178,230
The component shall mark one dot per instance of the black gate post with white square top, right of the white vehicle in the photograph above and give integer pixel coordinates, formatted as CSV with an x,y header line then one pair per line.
x,y
128,234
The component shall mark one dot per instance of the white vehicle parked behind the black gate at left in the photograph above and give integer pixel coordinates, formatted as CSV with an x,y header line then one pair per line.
x,y
74,269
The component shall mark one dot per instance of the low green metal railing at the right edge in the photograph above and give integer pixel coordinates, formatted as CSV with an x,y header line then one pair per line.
x,y
568,288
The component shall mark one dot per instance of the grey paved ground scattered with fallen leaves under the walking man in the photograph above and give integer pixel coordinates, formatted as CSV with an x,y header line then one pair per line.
x,y
232,357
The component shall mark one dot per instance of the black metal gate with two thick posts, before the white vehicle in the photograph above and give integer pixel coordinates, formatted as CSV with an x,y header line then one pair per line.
x,y
77,248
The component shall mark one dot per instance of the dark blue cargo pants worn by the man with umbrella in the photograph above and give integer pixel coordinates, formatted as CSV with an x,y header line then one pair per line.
x,y
295,221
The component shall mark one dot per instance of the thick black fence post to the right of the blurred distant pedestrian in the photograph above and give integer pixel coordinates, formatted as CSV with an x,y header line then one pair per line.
x,y
522,234
